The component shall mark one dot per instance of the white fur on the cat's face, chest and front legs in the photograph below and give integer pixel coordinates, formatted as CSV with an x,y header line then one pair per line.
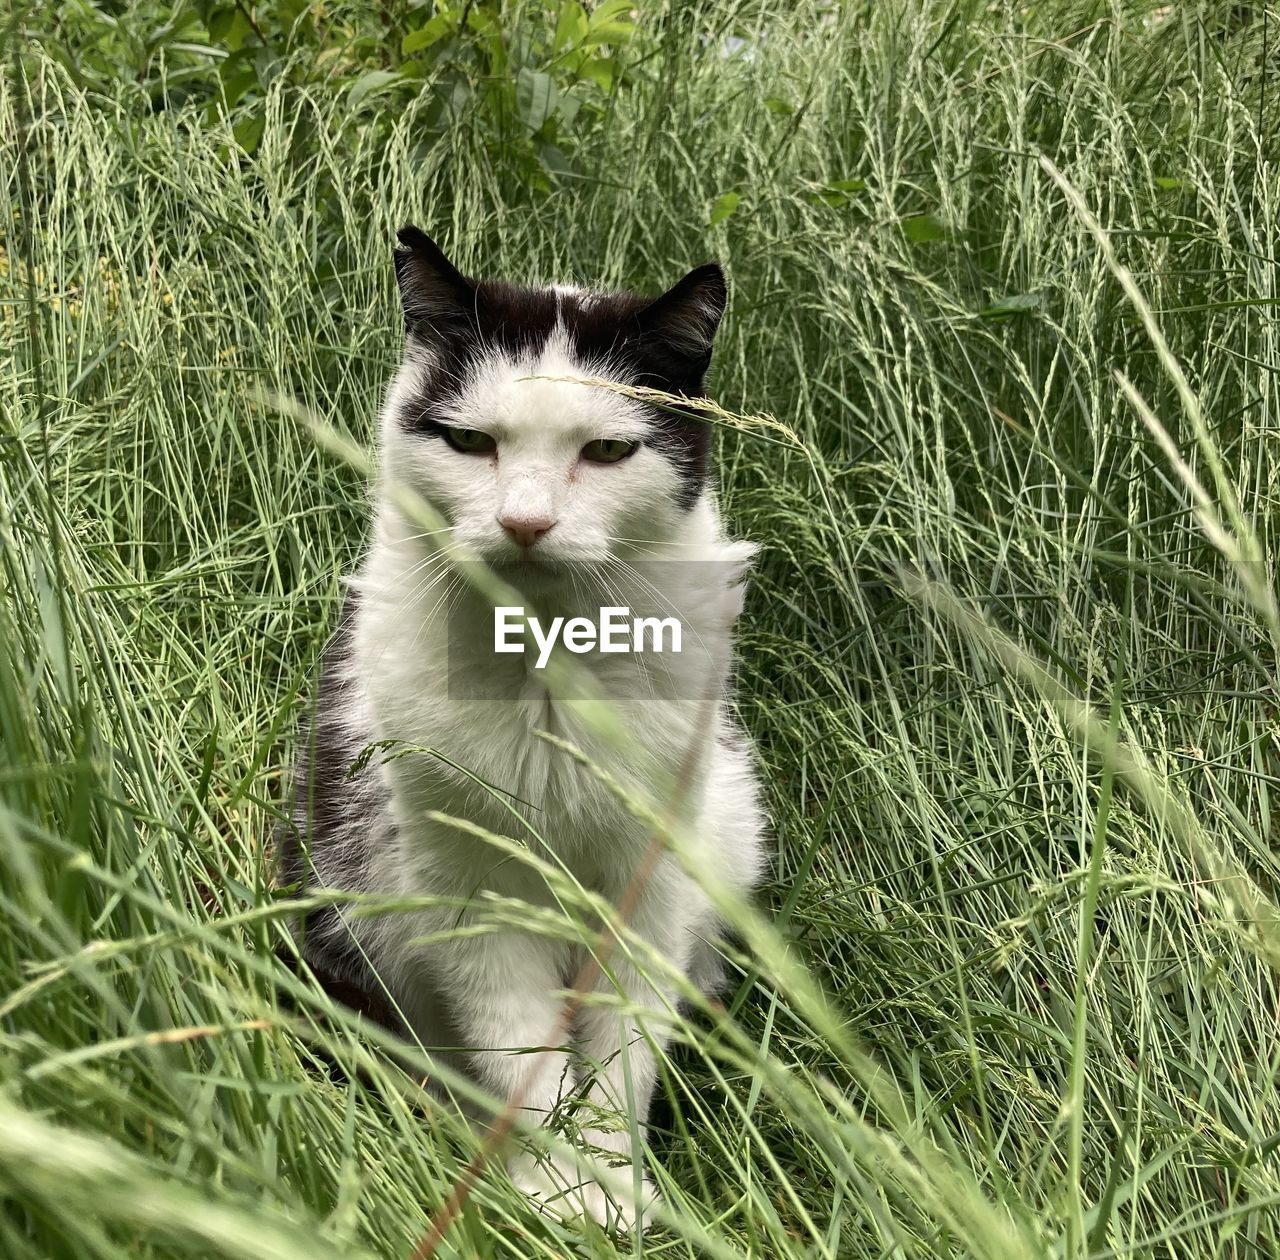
x,y
504,992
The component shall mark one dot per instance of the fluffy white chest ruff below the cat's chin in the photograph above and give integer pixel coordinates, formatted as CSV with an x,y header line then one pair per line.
x,y
469,725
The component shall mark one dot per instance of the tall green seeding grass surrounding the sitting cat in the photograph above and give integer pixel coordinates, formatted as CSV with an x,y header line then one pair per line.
x,y
1011,655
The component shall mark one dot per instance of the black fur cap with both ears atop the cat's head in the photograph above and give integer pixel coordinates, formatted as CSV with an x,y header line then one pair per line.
x,y
661,344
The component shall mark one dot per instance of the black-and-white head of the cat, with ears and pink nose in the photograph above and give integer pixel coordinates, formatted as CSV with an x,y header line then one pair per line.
x,y
529,468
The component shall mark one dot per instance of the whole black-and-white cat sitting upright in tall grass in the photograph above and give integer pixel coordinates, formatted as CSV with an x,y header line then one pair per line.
x,y
580,496
